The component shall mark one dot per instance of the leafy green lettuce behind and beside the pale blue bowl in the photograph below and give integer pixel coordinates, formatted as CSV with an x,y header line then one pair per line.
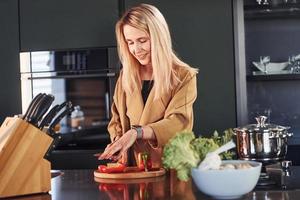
x,y
184,151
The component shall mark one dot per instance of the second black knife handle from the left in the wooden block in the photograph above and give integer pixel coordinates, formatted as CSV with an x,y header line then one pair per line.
x,y
40,109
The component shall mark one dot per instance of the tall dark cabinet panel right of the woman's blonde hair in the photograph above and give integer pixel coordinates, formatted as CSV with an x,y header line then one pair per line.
x,y
202,33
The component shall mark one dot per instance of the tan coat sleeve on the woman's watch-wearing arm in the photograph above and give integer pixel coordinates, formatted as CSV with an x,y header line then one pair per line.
x,y
179,112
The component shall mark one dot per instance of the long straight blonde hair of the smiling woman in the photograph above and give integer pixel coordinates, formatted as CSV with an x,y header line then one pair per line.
x,y
149,19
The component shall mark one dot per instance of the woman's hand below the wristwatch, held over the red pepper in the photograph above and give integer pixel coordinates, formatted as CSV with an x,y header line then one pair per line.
x,y
120,145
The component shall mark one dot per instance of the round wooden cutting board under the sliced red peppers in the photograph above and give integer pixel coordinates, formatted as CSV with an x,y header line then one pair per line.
x,y
131,173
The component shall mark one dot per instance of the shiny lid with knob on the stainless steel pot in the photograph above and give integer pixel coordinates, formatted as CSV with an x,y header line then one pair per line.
x,y
262,126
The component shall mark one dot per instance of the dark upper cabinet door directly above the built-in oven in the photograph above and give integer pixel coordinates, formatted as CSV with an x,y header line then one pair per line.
x,y
66,24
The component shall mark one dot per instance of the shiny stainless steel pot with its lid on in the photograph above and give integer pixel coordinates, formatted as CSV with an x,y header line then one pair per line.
x,y
262,141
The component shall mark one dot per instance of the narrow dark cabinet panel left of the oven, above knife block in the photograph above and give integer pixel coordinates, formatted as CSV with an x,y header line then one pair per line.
x,y
10,85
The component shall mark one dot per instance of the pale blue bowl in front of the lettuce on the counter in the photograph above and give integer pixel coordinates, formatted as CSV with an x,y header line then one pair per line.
x,y
227,183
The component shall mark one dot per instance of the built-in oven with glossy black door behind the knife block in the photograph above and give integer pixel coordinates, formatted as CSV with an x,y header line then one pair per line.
x,y
87,78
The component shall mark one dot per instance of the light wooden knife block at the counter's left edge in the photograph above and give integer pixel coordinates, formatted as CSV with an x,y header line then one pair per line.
x,y
23,170
